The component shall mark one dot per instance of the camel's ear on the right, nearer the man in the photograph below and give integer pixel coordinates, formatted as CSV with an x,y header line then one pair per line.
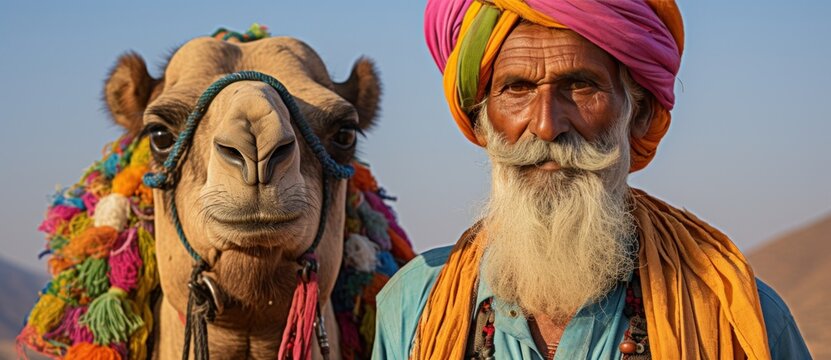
x,y
362,90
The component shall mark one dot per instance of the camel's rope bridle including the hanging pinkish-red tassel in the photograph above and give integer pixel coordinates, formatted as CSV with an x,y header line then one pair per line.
x,y
204,303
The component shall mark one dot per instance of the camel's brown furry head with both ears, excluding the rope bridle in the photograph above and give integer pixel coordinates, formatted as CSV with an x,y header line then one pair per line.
x,y
249,188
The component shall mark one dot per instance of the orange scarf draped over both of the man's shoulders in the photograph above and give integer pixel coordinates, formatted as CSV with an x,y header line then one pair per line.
x,y
699,292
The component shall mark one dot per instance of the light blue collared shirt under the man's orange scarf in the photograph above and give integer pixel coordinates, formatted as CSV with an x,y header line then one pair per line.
x,y
595,332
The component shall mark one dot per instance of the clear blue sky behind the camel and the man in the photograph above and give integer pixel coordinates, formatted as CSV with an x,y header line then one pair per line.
x,y
748,148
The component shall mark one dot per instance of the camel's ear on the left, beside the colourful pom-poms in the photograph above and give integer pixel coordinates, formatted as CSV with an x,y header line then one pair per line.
x,y
127,92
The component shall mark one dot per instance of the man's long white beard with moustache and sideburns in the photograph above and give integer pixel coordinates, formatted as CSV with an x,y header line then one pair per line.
x,y
557,240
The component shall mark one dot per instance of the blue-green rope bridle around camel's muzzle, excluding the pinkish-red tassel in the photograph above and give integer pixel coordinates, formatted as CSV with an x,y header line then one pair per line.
x,y
202,294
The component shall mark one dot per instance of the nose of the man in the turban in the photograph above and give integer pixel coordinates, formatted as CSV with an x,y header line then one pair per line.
x,y
549,120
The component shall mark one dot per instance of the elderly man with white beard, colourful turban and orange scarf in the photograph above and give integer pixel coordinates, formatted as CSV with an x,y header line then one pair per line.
x,y
568,97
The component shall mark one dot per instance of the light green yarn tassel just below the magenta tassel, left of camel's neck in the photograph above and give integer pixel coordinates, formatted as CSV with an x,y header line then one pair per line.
x,y
110,318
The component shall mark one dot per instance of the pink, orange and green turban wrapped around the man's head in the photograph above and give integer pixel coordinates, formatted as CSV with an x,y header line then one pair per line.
x,y
464,37
